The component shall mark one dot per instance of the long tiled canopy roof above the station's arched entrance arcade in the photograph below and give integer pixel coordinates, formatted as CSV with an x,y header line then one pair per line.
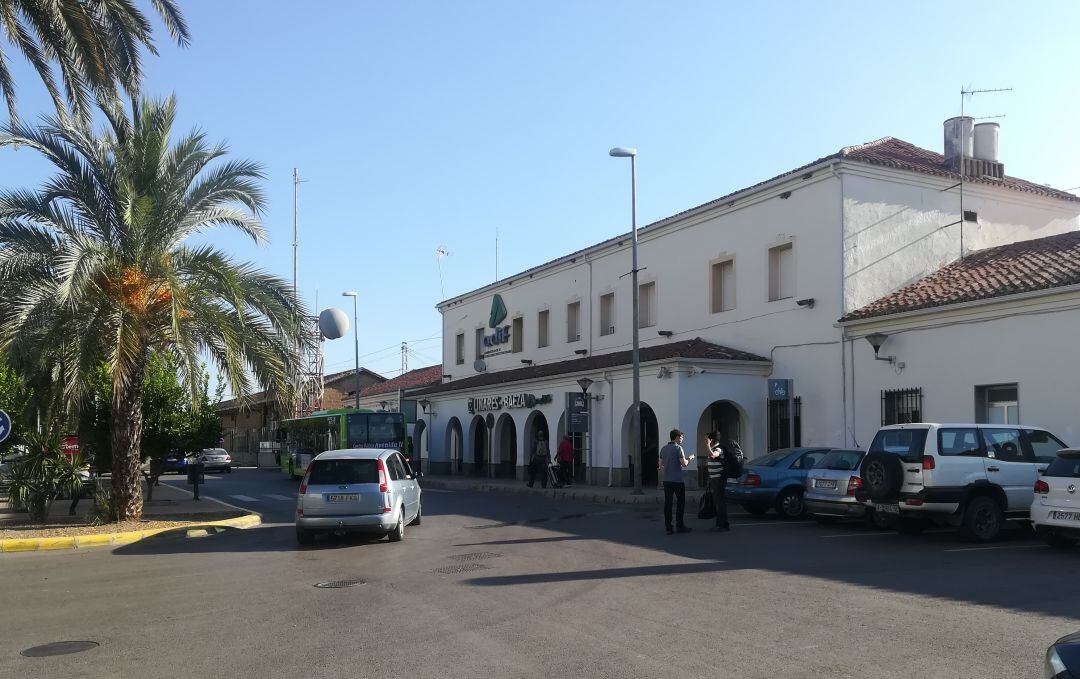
x,y
686,349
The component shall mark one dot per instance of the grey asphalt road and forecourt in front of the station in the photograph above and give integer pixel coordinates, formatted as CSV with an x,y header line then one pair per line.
x,y
520,587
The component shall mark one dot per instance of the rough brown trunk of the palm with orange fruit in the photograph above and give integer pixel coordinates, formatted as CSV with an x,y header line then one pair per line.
x,y
127,500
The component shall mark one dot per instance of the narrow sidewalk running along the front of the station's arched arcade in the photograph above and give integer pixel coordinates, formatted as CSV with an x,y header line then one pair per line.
x,y
600,495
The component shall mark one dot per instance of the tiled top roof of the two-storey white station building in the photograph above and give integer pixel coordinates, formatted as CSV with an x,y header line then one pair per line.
x,y
887,152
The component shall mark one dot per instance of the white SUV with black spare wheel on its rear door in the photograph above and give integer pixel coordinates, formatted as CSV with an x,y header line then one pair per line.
x,y
974,477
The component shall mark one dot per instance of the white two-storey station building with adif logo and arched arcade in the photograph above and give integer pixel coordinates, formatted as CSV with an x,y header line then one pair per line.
x,y
737,296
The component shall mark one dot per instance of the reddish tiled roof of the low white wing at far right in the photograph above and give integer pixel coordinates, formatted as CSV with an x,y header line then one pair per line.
x,y
1024,267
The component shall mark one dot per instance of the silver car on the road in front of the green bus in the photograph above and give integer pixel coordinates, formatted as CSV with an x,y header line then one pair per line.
x,y
362,491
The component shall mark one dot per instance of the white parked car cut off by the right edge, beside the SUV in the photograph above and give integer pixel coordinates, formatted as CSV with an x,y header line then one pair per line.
x,y
1056,511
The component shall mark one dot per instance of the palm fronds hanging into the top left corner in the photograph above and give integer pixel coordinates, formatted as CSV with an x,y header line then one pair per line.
x,y
94,45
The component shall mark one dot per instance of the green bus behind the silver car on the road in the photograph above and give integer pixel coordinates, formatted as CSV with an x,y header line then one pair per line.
x,y
303,439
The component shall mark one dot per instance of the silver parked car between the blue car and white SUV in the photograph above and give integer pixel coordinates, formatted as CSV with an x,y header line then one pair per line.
x,y
831,490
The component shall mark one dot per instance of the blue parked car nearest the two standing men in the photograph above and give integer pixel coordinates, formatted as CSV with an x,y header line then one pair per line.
x,y
776,481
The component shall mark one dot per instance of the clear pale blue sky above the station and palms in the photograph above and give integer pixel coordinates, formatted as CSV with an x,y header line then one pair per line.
x,y
426,125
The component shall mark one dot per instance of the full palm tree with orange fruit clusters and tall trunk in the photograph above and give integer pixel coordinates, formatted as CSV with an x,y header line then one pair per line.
x,y
99,266
